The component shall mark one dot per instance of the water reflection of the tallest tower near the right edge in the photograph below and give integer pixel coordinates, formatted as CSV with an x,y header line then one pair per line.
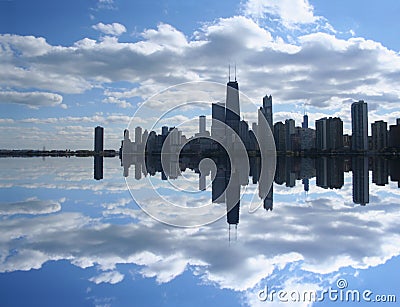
x,y
360,180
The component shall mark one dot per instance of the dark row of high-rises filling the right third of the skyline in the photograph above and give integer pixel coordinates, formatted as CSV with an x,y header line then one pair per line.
x,y
328,137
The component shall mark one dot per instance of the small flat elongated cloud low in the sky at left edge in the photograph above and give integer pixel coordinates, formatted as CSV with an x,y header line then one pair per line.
x,y
31,99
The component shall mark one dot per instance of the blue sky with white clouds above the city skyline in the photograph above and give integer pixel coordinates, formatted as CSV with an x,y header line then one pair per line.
x,y
67,67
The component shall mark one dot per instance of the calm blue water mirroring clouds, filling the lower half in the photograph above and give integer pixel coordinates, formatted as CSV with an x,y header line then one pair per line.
x,y
67,239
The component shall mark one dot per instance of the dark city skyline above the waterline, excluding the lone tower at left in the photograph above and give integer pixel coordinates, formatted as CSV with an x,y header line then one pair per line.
x,y
326,137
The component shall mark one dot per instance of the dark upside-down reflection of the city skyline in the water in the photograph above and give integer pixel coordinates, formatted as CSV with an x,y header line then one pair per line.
x,y
328,171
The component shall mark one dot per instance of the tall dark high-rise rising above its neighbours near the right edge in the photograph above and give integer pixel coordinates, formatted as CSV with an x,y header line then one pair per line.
x,y
359,125
